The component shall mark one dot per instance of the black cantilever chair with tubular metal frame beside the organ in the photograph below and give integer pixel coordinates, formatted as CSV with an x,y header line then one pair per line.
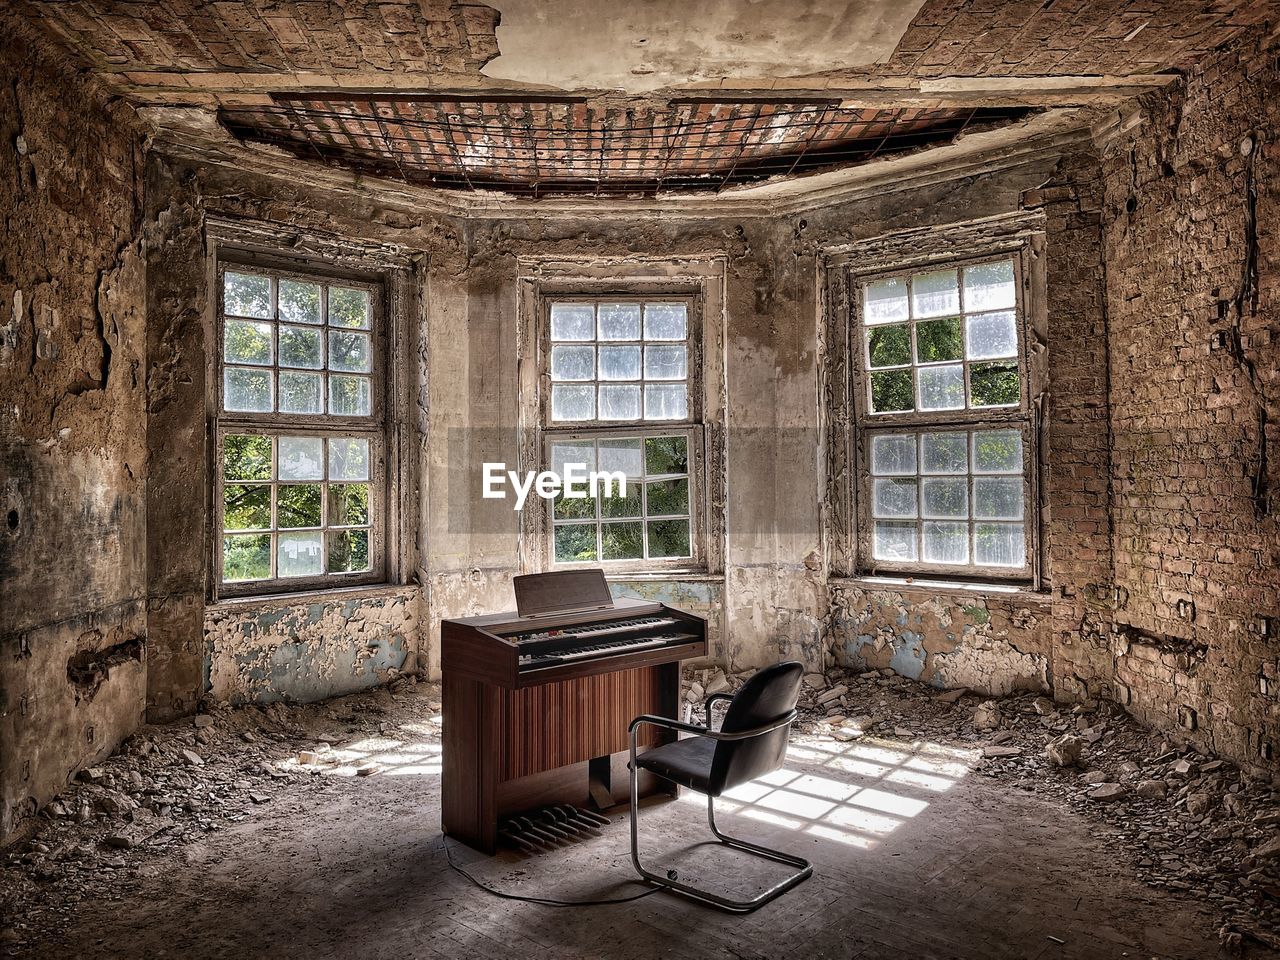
x,y
752,742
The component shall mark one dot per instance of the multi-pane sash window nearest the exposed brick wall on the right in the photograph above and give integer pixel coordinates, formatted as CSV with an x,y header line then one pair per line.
x,y
944,426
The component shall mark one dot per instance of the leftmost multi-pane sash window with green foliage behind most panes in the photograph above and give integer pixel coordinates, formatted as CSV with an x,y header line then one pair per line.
x,y
300,482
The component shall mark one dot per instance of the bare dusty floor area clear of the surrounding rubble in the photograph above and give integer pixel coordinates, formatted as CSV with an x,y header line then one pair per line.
x,y
916,857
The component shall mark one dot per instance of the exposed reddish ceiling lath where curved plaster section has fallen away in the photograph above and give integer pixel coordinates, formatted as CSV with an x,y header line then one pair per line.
x,y
555,148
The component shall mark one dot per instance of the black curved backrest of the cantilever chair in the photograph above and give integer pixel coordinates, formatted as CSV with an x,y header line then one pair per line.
x,y
767,697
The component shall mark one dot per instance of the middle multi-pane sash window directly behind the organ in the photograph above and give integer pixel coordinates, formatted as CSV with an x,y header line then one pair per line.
x,y
623,397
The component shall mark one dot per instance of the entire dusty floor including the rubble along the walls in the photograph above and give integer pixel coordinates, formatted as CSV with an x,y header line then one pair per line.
x,y
922,847
